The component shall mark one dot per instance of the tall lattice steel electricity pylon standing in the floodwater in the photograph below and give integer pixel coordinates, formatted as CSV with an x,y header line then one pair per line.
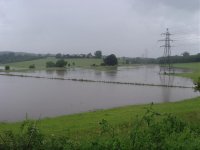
x,y
165,62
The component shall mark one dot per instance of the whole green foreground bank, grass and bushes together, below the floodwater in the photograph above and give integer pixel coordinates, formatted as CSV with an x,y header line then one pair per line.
x,y
159,126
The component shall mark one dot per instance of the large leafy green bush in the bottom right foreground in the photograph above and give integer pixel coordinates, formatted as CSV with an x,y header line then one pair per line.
x,y
163,131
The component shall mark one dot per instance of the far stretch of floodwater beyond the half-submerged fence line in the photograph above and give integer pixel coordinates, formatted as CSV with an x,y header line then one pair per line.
x,y
138,74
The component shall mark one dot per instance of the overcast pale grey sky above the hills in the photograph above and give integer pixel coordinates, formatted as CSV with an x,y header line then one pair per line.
x,y
123,27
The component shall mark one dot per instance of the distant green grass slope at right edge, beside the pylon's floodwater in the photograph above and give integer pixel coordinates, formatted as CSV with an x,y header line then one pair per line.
x,y
195,67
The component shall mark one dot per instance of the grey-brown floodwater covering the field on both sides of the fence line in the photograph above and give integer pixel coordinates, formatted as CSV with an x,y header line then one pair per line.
x,y
47,98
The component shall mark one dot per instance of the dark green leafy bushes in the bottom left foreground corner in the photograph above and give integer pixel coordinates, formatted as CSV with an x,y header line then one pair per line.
x,y
30,138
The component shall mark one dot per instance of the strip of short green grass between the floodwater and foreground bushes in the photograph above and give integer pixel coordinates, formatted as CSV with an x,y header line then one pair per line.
x,y
86,124
